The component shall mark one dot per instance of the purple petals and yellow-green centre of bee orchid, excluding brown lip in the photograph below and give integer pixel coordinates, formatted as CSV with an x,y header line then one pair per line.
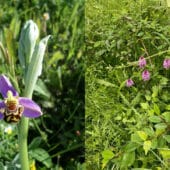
x,y
31,109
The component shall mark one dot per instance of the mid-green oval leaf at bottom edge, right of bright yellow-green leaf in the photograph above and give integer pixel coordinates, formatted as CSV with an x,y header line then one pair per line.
x,y
128,159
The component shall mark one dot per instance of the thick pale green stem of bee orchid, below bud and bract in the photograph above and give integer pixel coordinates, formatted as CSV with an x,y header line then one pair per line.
x,y
23,134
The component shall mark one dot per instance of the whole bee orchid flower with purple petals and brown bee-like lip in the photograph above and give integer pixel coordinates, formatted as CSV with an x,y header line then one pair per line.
x,y
13,107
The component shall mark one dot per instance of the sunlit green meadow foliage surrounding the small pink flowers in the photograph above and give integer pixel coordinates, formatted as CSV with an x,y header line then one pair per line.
x,y
127,128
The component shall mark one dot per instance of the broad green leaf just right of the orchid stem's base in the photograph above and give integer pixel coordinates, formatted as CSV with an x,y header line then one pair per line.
x,y
42,156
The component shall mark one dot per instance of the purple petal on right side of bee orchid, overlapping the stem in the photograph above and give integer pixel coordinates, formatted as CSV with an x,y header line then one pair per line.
x,y
31,109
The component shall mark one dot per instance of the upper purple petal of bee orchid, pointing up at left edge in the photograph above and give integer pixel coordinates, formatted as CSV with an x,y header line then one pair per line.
x,y
5,86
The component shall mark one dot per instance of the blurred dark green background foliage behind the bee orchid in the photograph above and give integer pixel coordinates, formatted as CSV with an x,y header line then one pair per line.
x,y
56,140
